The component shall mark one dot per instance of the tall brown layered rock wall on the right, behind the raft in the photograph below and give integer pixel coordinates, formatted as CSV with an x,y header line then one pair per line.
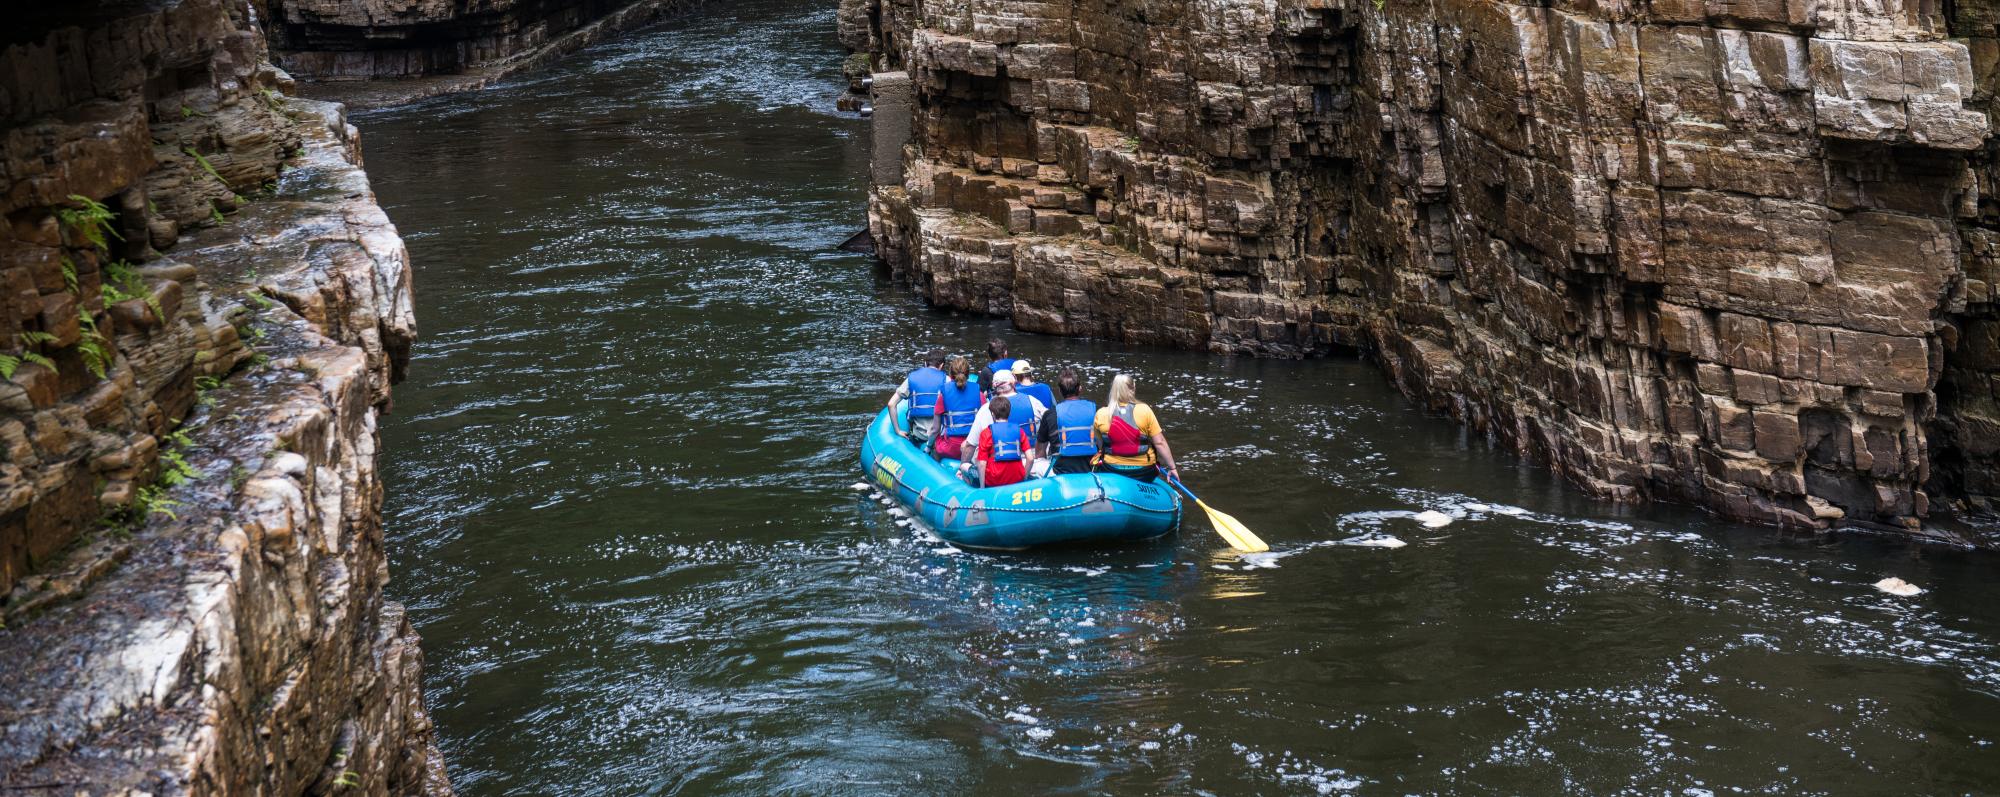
x,y
1737,253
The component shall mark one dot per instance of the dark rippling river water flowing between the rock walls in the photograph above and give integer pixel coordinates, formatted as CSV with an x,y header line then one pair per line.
x,y
623,516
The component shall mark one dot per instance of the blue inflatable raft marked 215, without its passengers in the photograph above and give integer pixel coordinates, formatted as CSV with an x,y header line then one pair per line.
x,y
1077,508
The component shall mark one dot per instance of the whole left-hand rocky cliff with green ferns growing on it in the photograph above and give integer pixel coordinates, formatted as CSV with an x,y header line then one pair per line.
x,y
201,317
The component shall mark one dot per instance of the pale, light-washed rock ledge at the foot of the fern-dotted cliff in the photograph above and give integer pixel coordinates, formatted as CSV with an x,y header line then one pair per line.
x,y
241,642
